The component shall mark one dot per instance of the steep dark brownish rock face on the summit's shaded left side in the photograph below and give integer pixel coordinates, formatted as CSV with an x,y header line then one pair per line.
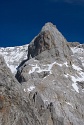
x,y
41,43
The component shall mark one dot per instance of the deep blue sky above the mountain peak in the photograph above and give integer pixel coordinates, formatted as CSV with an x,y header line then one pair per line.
x,y
21,20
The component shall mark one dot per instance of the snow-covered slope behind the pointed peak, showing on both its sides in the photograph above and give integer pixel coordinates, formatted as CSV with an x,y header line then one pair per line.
x,y
14,55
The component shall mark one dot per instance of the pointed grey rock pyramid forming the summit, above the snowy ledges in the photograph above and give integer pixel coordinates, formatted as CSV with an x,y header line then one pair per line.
x,y
49,39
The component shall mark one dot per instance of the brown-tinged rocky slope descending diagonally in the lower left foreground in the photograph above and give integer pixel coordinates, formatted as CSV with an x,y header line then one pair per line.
x,y
15,108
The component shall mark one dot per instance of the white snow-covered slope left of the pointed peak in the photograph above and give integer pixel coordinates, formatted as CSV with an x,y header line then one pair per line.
x,y
14,55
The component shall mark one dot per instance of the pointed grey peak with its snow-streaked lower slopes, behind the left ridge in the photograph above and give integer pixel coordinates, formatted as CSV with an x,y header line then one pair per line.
x,y
53,71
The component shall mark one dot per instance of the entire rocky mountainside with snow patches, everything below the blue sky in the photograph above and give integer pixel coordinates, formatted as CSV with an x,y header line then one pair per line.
x,y
48,86
